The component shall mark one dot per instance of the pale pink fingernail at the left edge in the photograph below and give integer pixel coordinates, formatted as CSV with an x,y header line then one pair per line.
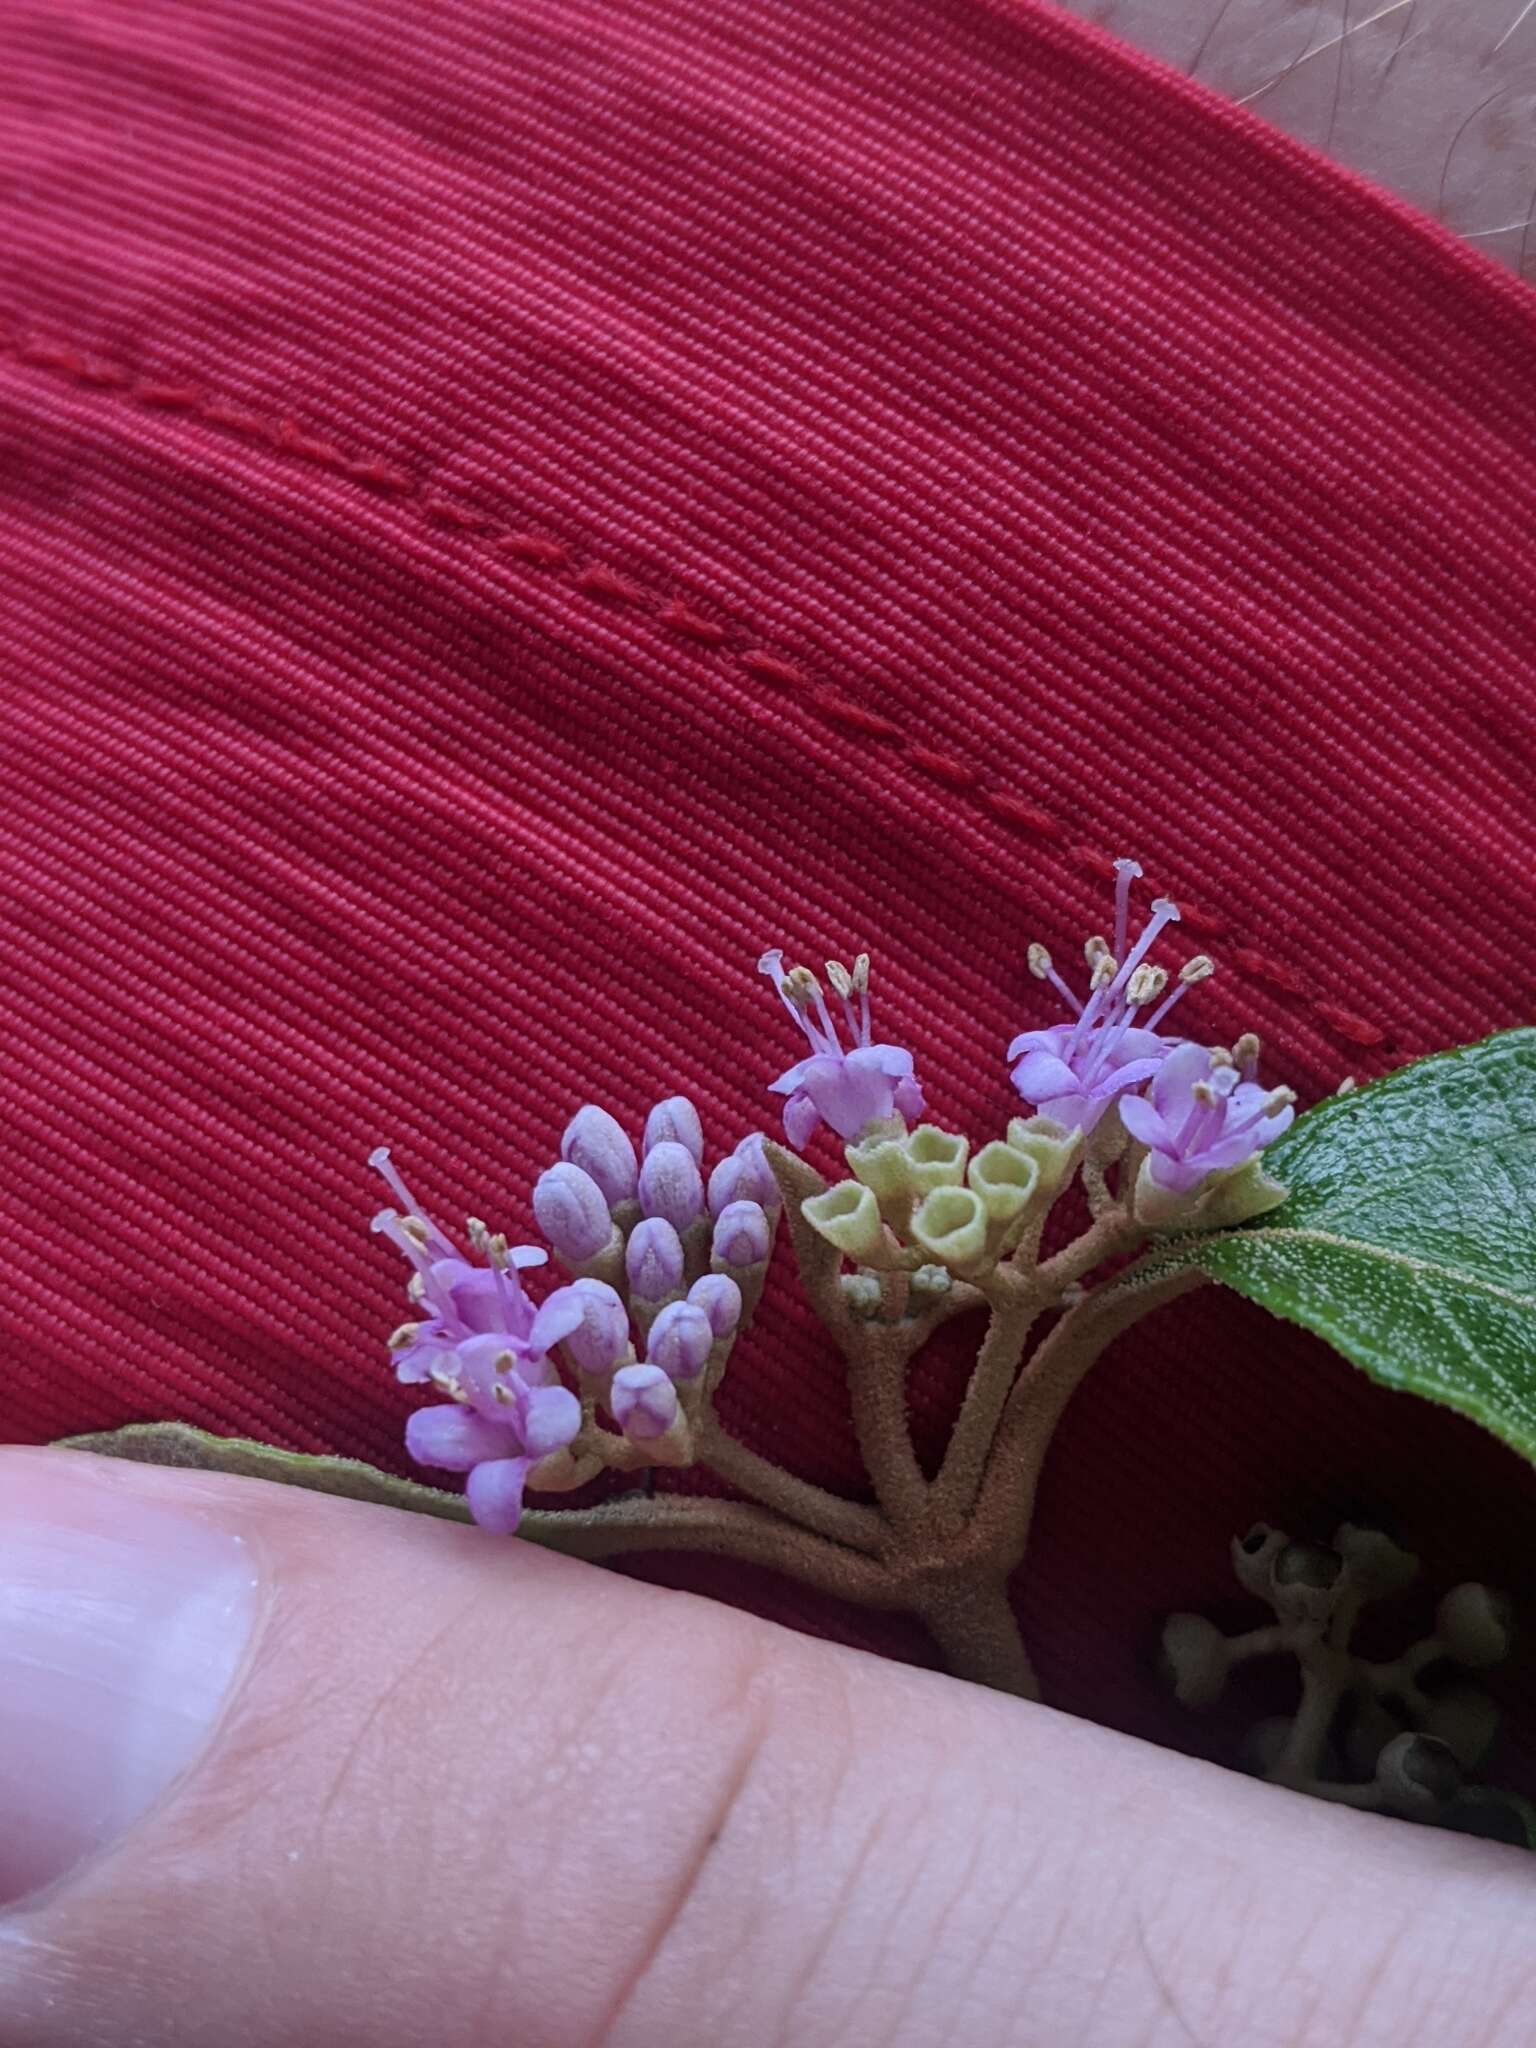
x,y
124,1621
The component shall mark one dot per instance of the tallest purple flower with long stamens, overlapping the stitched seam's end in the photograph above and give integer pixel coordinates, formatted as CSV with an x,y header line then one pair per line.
x,y
1074,1072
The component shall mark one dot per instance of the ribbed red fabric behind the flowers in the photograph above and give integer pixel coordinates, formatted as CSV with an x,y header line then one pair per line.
x,y
507,509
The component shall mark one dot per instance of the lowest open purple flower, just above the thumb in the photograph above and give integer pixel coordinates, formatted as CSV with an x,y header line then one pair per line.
x,y
497,1431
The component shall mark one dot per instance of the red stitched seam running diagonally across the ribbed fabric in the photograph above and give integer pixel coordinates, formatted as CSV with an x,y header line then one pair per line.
x,y
673,615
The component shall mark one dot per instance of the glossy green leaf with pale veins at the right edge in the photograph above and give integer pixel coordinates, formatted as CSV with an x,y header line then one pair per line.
x,y
1408,1236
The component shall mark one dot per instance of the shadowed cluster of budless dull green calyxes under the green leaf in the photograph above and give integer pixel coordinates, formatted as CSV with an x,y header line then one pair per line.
x,y
1396,1736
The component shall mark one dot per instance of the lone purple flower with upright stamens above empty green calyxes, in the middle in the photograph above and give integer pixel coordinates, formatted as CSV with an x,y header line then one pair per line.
x,y
863,1091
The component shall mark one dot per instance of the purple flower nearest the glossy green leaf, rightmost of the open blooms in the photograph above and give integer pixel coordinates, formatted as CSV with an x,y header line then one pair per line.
x,y
1201,1117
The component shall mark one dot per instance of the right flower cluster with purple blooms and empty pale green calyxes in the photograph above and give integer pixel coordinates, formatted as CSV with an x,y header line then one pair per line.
x,y
1111,1086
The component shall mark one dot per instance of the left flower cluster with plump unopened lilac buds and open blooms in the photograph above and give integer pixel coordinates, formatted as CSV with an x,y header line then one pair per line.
x,y
667,1271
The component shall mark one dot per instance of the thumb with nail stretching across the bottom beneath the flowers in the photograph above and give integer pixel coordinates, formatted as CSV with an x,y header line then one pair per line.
x,y
290,1770
